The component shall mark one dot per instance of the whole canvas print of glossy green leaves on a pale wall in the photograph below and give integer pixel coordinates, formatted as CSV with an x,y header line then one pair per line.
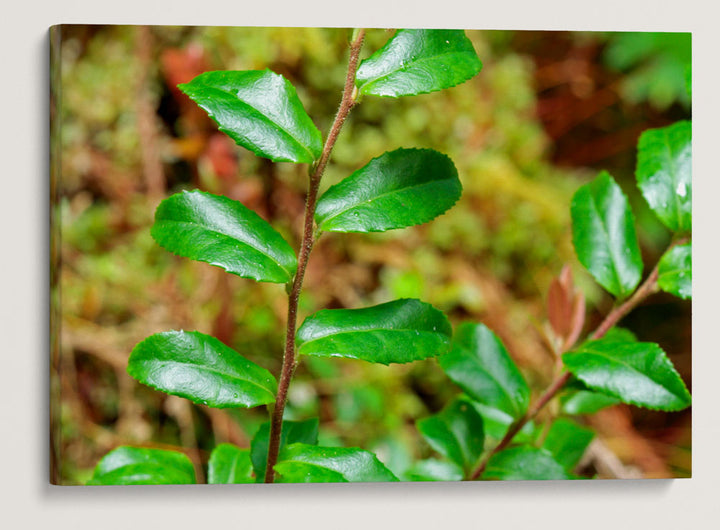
x,y
301,255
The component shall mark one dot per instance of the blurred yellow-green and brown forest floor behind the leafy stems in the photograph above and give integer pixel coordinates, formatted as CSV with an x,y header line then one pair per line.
x,y
545,114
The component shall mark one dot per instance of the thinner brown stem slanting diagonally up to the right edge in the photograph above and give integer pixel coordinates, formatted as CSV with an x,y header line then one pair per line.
x,y
648,287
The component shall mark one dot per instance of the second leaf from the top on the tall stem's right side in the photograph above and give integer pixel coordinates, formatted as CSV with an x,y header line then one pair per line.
x,y
401,188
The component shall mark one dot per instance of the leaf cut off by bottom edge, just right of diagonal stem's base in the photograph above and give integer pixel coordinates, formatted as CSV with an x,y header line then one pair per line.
x,y
524,463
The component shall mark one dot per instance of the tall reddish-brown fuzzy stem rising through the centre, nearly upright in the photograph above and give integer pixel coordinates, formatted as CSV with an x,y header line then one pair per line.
x,y
308,240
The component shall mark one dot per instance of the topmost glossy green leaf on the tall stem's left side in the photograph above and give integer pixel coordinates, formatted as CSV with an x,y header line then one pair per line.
x,y
260,110
